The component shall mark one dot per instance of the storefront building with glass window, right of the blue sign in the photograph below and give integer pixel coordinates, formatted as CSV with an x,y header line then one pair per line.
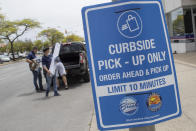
x,y
181,21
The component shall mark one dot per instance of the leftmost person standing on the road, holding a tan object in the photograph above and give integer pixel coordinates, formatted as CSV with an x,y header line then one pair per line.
x,y
34,66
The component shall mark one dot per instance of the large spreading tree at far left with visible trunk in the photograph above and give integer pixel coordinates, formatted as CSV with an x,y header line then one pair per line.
x,y
12,30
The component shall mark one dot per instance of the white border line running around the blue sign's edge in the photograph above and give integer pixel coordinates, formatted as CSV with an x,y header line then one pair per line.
x,y
93,67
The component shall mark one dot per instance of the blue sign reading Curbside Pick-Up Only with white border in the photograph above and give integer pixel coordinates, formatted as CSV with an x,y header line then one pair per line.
x,y
131,65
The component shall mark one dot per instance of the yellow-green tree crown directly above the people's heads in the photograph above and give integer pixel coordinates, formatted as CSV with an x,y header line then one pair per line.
x,y
52,35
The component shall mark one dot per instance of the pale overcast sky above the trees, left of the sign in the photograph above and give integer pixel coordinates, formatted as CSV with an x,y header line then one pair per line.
x,y
60,14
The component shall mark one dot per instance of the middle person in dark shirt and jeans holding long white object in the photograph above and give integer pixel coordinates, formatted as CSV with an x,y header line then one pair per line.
x,y
50,78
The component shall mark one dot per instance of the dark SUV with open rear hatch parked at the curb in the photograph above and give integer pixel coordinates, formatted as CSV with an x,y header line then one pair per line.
x,y
74,58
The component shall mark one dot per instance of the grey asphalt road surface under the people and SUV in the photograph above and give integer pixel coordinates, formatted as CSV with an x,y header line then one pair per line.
x,y
22,109
